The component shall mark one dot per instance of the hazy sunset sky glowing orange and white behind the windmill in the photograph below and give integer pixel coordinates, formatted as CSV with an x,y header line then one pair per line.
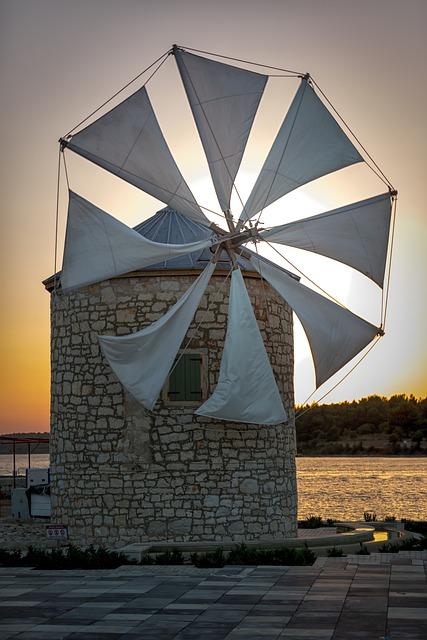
x,y
61,59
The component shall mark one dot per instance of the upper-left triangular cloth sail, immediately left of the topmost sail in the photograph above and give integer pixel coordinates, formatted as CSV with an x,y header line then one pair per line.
x,y
128,142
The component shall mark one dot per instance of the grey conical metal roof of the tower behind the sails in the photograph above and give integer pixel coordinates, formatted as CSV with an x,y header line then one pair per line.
x,y
171,227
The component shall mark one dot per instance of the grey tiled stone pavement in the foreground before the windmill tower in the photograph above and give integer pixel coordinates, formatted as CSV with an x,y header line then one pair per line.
x,y
373,597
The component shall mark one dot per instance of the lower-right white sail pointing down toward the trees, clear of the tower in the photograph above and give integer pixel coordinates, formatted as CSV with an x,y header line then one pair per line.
x,y
335,334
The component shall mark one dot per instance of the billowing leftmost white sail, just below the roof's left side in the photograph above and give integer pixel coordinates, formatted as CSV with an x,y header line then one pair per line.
x,y
98,246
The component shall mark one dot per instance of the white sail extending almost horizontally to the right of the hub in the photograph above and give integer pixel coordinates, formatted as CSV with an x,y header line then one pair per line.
x,y
356,234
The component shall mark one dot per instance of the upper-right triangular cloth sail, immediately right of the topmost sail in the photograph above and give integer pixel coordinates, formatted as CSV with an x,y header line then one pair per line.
x,y
310,144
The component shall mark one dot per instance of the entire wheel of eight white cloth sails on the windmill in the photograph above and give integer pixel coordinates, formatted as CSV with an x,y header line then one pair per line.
x,y
127,141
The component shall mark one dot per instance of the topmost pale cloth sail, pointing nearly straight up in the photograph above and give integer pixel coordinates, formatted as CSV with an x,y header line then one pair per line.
x,y
224,100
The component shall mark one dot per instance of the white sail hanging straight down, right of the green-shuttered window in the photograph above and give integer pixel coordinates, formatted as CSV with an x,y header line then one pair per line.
x,y
246,389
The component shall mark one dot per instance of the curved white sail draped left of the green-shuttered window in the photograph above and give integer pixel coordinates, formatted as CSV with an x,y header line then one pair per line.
x,y
142,360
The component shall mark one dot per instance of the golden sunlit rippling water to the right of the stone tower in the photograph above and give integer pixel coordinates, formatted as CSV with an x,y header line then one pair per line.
x,y
346,487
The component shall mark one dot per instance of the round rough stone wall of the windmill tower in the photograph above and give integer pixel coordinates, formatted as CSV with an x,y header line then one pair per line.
x,y
123,474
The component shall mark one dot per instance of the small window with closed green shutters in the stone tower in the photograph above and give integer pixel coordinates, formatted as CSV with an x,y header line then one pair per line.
x,y
186,382
